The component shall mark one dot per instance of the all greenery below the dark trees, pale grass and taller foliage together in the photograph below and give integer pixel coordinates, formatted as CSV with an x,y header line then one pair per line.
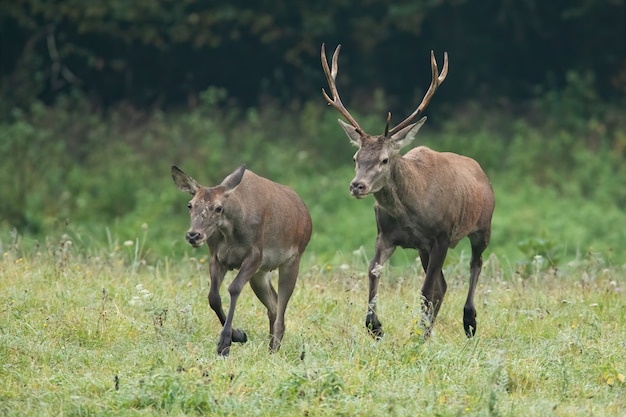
x,y
103,307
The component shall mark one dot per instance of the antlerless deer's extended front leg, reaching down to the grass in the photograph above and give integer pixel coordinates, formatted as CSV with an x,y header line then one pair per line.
x,y
248,269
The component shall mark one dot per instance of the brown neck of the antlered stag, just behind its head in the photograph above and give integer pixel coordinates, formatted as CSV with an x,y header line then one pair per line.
x,y
403,185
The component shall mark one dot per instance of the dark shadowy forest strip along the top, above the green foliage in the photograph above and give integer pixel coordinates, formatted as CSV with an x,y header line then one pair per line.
x,y
162,53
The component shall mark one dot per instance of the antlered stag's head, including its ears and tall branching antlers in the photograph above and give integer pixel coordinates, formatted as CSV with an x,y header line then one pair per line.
x,y
377,153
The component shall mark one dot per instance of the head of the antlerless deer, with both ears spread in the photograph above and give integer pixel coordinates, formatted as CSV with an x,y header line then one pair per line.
x,y
208,206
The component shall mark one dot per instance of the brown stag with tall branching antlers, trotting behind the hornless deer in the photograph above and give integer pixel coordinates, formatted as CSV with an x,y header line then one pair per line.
x,y
425,200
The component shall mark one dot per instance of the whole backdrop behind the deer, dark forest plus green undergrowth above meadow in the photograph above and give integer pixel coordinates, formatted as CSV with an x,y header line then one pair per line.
x,y
99,98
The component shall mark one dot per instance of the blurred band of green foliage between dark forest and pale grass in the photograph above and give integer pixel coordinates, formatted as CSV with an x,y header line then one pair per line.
x,y
558,176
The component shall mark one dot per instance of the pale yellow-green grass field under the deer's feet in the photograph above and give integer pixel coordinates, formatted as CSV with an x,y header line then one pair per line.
x,y
102,332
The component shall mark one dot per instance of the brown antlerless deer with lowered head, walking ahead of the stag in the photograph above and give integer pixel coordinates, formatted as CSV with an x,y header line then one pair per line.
x,y
255,225
